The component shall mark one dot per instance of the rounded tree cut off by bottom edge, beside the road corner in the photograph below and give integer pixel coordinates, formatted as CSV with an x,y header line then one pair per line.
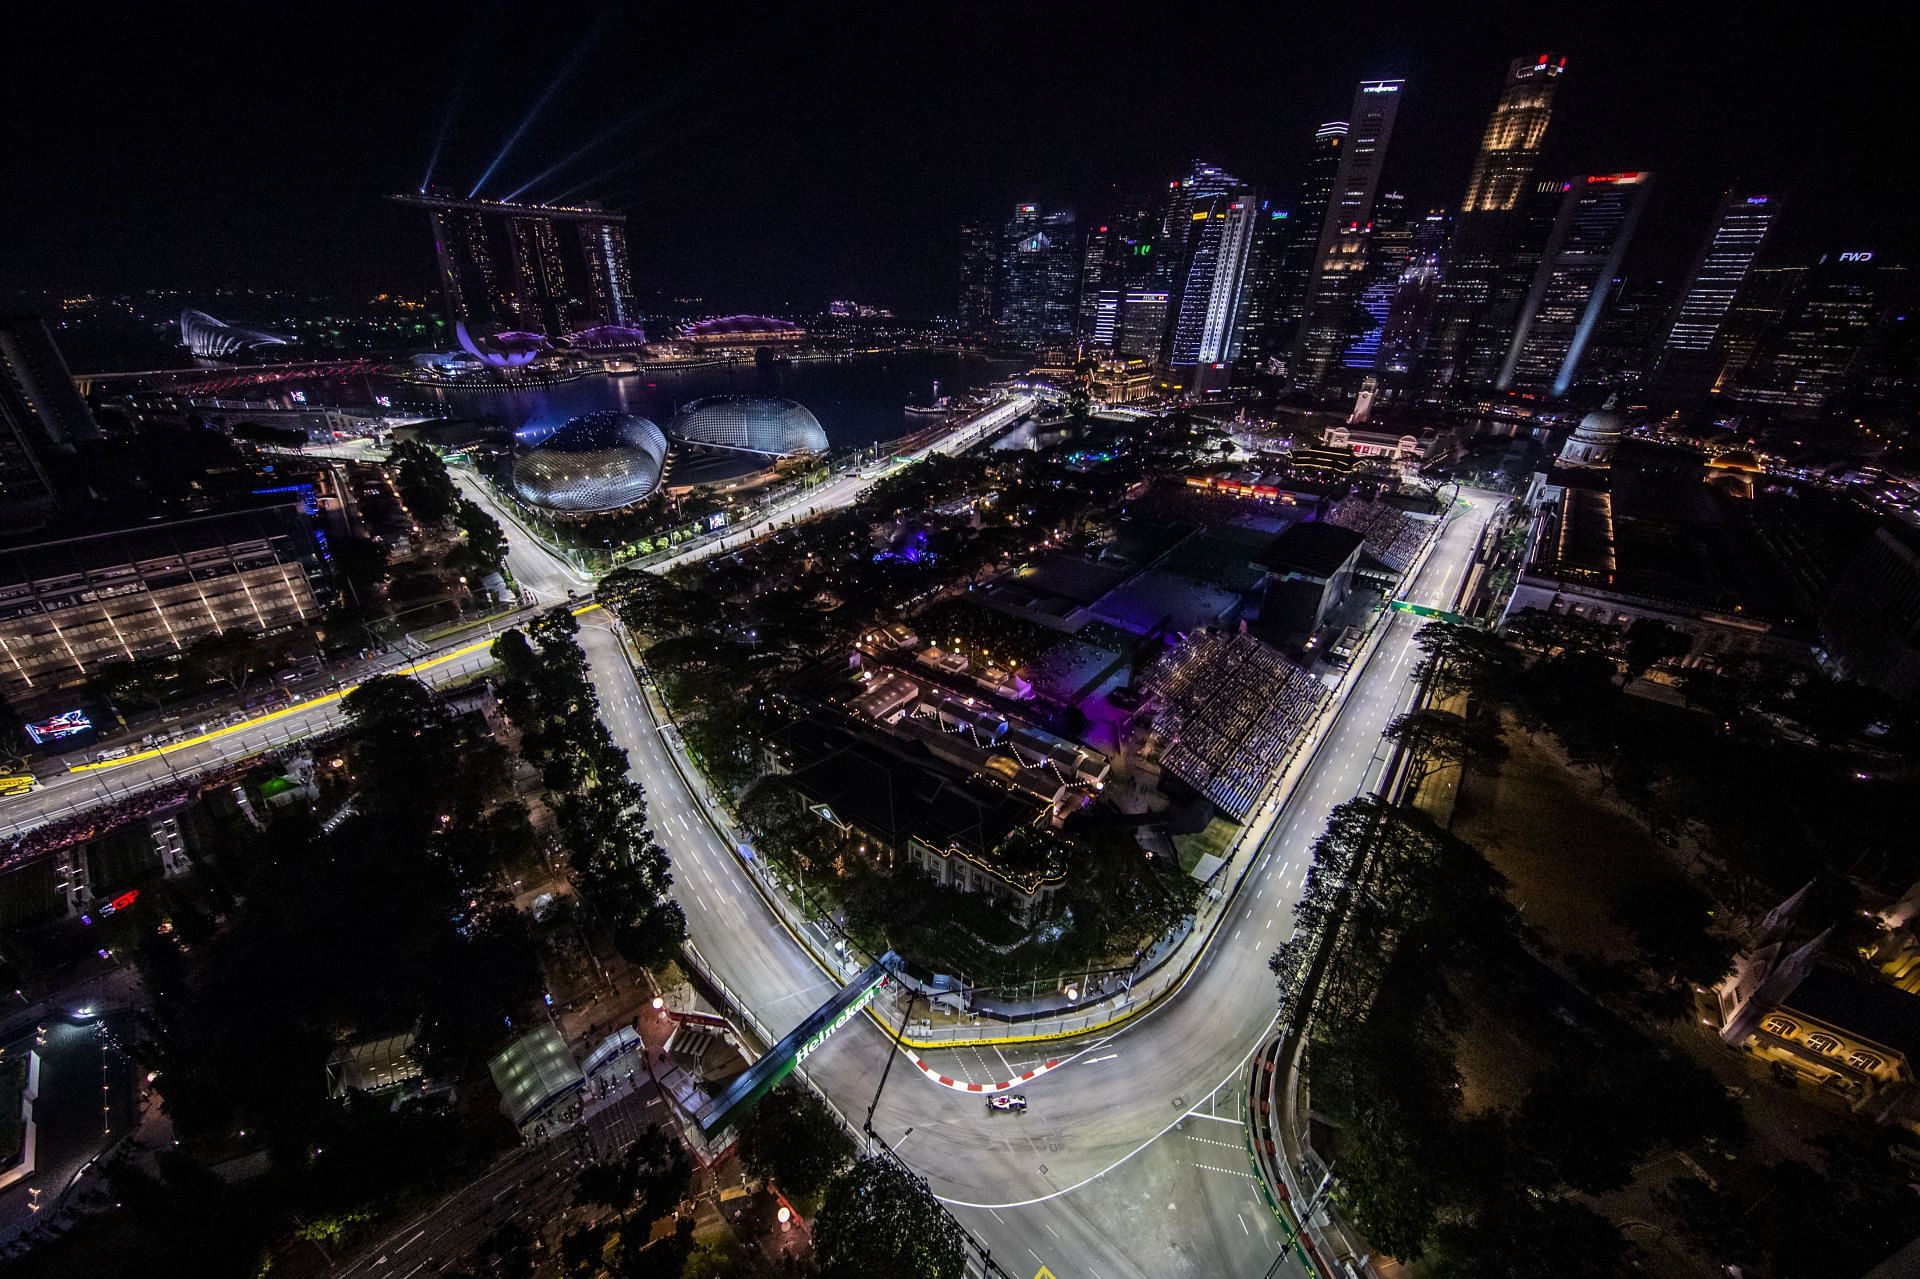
x,y
882,1220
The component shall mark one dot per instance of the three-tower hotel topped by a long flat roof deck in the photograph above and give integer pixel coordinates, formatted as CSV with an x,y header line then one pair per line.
x,y
540,268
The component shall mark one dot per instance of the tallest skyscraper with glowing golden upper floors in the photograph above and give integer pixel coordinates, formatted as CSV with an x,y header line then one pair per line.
x,y
1468,324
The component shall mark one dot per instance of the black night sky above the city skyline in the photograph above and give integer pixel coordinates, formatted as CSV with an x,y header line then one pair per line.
x,y
788,157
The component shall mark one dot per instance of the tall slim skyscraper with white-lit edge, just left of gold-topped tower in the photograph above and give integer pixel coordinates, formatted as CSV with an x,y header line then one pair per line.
x,y
1341,254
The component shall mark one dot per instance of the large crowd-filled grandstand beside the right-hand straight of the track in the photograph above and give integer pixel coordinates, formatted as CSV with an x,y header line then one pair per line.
x,y
1230,713
